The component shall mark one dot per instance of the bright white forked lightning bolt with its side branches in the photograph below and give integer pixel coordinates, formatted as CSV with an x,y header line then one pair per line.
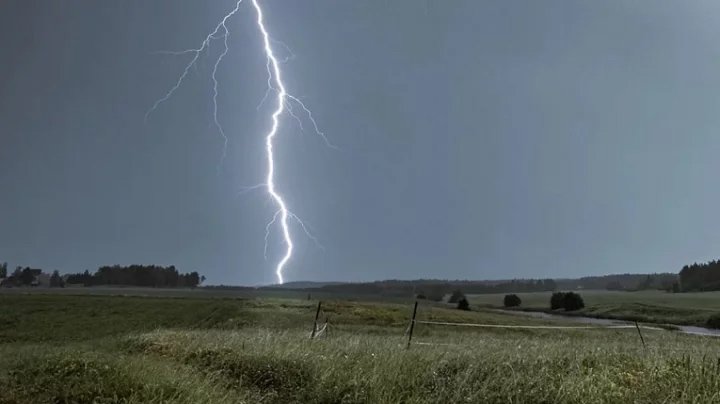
x,y
283,104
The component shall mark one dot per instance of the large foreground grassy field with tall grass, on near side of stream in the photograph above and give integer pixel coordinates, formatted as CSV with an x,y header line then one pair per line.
x,y
65,348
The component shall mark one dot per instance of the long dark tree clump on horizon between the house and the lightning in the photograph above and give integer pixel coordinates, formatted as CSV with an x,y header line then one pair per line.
x,y
137,275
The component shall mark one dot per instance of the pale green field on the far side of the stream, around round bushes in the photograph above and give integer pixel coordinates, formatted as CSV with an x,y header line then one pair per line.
x,y
646,306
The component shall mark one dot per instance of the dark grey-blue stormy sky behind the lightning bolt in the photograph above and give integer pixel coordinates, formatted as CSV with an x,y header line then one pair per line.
x,y
479,139
